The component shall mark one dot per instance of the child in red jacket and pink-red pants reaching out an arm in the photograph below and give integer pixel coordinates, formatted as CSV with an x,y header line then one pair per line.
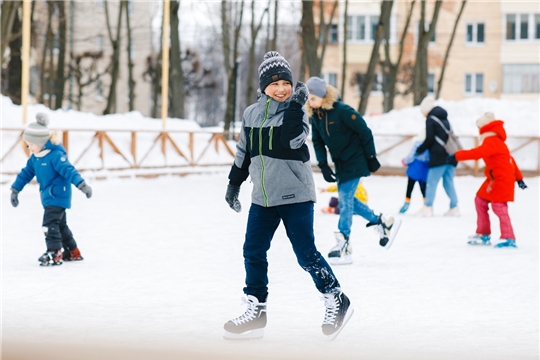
x,y
501,173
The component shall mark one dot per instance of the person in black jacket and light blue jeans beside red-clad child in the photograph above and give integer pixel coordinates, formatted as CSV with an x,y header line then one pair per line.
x,y
438,164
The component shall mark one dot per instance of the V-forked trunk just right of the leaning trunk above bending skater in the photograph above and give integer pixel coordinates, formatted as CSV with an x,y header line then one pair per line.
x,y
390,70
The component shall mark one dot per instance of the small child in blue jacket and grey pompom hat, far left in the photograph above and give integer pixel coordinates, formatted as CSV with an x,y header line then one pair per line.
x,y
54,173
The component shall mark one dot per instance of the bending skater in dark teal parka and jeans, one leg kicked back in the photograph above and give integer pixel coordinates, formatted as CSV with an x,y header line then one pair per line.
x,y
339,129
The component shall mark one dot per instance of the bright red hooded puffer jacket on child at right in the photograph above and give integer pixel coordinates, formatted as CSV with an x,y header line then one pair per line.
x,y
501,170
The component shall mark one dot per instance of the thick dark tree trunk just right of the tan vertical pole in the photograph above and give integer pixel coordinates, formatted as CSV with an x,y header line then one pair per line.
x,y
176,74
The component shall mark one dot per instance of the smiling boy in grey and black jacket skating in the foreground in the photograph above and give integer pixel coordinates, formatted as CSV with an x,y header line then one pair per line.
x,y
272,150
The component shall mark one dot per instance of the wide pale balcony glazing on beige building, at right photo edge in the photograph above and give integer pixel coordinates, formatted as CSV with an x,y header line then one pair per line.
x,y
521,78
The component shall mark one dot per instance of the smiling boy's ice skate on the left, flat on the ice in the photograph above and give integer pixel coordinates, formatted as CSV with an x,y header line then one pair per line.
x,y
249,325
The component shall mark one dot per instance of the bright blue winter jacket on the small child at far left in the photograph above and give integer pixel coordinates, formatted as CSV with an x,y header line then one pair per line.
x,y
53,172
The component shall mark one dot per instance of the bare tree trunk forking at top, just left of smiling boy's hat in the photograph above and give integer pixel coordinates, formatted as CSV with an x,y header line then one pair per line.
x,y
231,56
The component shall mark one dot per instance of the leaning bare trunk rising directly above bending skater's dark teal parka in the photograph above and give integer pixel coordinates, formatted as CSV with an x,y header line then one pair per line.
x,y
367,83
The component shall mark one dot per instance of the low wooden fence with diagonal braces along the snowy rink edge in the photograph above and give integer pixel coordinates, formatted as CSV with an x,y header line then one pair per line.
x,y
192,147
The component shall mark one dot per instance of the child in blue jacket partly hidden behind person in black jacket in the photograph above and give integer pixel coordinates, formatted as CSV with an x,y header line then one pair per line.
x,y
417,169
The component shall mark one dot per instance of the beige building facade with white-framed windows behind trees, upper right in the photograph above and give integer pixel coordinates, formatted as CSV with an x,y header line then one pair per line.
x,y
495,51
